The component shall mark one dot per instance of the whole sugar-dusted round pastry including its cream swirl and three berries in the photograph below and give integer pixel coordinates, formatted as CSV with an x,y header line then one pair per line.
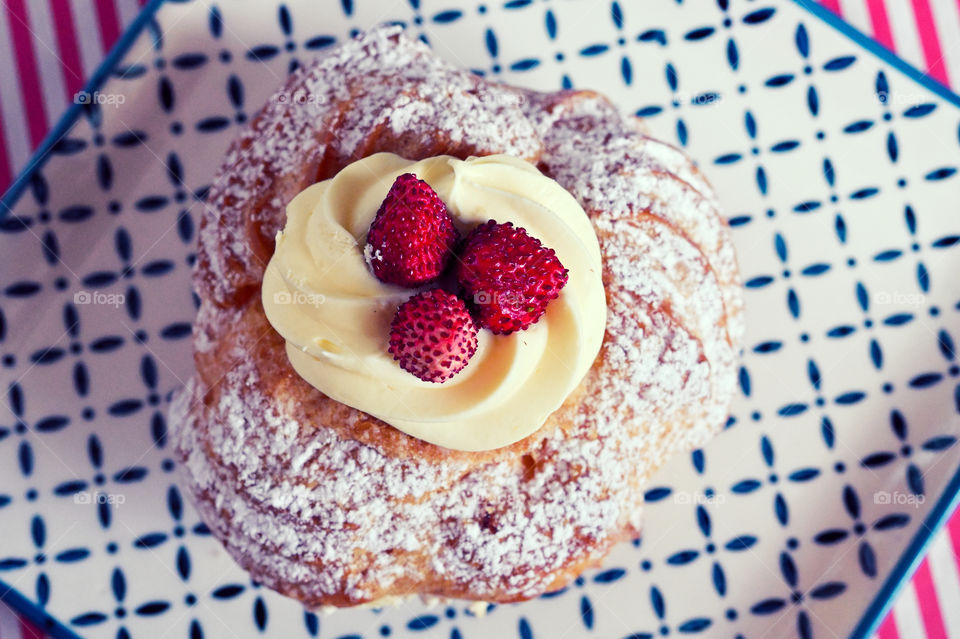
x,y
447,331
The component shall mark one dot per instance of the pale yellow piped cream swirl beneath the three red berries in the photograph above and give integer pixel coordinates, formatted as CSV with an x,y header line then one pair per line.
x,y
321,296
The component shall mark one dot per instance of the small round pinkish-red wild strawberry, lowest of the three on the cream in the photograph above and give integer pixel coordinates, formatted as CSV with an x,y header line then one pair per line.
x,y
433,336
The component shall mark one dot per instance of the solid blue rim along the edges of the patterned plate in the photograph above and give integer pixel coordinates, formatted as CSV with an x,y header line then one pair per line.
x,y
902,570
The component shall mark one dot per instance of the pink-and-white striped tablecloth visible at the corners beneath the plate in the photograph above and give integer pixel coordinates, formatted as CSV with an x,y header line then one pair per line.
x,y
57,44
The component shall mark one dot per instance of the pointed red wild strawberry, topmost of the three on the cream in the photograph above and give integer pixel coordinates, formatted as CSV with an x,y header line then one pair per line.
x,y
412,237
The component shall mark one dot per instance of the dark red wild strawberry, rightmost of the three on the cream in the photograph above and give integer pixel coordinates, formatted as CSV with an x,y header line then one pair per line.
x,y
510,276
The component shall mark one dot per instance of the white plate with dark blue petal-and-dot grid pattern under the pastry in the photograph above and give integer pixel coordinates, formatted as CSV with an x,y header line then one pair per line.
x,y
839,173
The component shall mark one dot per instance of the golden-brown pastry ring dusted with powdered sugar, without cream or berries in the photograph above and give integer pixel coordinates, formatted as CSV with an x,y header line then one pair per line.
x,y
331,506
